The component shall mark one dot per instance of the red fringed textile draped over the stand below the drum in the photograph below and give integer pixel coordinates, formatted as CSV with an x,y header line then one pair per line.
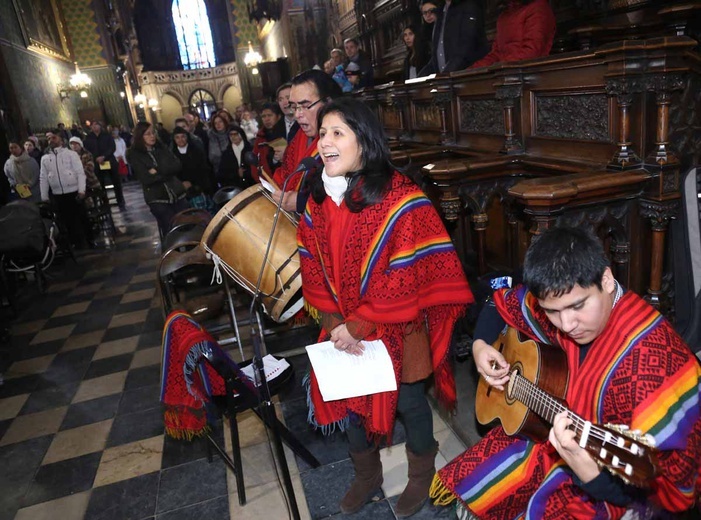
x,y
186,382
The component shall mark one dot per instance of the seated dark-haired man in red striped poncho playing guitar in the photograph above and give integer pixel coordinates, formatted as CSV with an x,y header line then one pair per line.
x,y
626,366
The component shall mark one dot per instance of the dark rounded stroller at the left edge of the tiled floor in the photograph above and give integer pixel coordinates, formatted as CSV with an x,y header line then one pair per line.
x,y
28,240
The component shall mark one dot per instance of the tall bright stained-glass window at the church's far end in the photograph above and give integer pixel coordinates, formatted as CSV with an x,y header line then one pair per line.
x,y
194,35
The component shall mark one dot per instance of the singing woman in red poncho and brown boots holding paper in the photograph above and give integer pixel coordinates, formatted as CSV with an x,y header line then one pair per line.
x,y
377,263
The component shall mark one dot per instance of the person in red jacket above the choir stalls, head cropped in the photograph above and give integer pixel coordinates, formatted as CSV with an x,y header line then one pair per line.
x,y
525,30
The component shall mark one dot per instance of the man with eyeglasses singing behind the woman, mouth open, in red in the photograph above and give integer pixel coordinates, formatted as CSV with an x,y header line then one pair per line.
x,y
310,91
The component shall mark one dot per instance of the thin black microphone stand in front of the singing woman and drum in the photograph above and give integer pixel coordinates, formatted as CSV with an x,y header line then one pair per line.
x,y
267,408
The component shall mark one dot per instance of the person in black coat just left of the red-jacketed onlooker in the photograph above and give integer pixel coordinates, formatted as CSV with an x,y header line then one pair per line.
x,y
458,38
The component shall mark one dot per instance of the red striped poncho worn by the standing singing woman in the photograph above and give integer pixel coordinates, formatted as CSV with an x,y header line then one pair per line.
x,y
397,269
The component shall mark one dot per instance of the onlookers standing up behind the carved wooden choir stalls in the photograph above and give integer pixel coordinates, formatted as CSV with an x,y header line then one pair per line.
x,y
452,37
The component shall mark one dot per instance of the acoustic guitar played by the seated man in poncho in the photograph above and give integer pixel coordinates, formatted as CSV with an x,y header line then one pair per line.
x,y
535,393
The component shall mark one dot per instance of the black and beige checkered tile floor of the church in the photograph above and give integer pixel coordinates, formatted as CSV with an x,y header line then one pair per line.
x,y
81,428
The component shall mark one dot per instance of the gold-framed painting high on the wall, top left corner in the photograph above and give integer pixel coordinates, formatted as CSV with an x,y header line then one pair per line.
x,y
42,27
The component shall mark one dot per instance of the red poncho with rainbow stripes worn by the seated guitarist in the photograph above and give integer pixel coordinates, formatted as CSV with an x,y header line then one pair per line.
x,y
638,373
